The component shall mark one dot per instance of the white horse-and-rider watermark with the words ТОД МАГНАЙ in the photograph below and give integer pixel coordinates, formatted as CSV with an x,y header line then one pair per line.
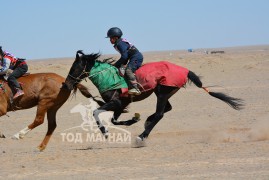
x,y
89,126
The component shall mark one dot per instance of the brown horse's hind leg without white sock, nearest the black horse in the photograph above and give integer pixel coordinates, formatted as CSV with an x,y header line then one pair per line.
x,y
51,116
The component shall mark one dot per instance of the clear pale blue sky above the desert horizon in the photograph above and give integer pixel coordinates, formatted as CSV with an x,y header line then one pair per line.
x,y
37,29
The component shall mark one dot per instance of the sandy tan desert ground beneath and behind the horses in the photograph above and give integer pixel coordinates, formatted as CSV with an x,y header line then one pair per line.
x,y
201,138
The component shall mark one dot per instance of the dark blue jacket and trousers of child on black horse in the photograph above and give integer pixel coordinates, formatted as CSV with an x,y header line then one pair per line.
x,y
128,52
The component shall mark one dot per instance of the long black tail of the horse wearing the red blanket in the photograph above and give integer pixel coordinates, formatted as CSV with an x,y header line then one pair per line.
x,y
235,103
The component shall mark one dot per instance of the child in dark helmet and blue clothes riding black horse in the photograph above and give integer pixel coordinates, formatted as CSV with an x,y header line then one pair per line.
x,y
129,55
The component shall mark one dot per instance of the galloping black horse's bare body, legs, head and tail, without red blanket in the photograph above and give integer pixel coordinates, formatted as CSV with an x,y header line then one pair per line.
x,y
83,67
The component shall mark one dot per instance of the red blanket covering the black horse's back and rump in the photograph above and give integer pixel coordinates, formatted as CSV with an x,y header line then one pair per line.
x,y
163,72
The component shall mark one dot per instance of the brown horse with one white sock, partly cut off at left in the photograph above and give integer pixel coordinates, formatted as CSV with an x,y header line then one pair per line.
x,y
43,90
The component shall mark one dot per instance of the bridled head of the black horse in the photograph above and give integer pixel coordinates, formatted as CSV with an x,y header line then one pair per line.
x,y
80,69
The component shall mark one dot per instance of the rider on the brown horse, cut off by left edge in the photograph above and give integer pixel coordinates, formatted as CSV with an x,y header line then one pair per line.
x,y
13,68
